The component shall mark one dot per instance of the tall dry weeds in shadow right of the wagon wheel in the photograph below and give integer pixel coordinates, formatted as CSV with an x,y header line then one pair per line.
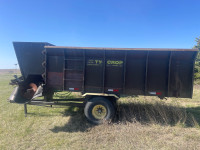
x,y
154,112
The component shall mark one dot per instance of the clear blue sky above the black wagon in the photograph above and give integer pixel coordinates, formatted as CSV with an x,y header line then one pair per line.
x,y
98,23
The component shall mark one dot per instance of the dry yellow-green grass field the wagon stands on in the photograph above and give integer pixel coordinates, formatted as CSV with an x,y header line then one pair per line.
x,y
140,123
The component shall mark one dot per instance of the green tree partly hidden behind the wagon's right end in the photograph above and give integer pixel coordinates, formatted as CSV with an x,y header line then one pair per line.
x,y
197,63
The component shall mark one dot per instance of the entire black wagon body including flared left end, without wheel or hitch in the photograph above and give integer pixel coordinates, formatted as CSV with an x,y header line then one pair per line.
x,y
108,71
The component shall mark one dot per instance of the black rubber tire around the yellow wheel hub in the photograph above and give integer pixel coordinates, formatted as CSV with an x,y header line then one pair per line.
x,y
99,101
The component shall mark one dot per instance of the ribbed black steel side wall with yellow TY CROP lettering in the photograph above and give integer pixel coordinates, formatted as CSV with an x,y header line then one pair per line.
x,y
165,73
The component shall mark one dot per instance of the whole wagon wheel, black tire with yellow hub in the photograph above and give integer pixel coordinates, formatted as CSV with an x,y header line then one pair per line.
x,y
99,109
